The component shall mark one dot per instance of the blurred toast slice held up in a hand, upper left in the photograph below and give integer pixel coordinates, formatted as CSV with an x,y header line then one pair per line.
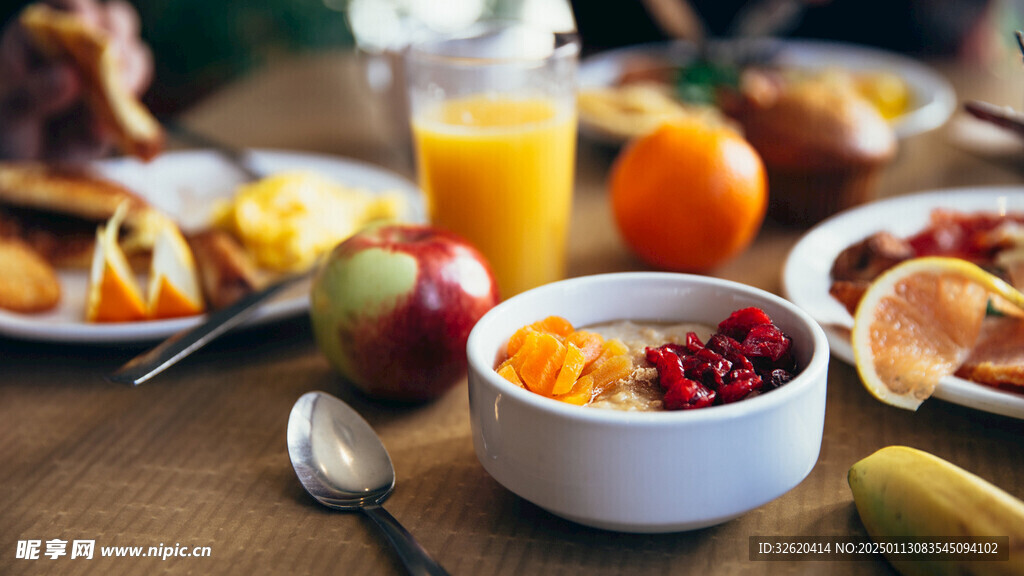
x,y
64,35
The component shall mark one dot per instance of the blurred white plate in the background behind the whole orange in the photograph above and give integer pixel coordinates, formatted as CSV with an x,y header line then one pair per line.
x,y
933,98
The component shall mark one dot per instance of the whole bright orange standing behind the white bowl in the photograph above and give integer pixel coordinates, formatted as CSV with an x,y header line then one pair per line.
x,y
689,196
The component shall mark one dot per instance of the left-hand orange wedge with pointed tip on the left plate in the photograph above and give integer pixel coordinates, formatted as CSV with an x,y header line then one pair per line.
x,y
113,295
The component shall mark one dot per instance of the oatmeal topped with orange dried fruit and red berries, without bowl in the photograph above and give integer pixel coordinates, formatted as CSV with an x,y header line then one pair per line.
x,y
651,367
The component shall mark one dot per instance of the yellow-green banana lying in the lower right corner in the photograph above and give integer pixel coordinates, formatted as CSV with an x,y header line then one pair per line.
x,y
902,491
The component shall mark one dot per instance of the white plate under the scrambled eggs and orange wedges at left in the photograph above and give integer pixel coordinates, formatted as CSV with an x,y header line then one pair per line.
x,y
186,186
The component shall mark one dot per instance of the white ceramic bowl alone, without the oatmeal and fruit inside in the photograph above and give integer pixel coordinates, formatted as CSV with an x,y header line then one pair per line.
x,y
647,472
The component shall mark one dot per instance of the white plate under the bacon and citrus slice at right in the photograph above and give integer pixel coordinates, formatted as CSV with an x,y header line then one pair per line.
x,y
806,280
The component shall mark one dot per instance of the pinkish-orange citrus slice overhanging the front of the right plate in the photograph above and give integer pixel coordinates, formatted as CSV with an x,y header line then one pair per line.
x,y
918,323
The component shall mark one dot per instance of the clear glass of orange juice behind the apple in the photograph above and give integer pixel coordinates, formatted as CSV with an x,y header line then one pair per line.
x,y
494,129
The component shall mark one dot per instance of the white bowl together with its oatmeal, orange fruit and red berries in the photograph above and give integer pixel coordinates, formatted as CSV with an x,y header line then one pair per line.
x,y
614,448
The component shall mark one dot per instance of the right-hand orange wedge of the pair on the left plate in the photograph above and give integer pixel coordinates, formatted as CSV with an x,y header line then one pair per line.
x,y
175,289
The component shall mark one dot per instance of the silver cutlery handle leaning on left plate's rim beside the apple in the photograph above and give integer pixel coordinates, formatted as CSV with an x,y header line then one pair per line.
x,y
178,347
